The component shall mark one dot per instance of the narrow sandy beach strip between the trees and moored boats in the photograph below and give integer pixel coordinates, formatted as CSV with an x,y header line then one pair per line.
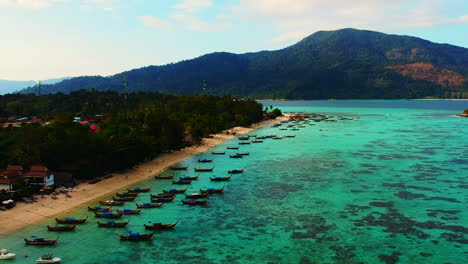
x,y
46,208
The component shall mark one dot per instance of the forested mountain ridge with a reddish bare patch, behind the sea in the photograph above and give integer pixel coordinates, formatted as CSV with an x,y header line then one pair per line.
x,y
342,64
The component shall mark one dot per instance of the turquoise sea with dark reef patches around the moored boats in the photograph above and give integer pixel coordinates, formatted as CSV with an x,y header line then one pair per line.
x,y
388,187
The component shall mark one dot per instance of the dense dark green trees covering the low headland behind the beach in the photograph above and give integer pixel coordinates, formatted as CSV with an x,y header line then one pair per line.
x,y
134,130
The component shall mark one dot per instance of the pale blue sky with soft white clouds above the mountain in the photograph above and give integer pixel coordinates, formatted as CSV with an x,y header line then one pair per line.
x,y
42,39
